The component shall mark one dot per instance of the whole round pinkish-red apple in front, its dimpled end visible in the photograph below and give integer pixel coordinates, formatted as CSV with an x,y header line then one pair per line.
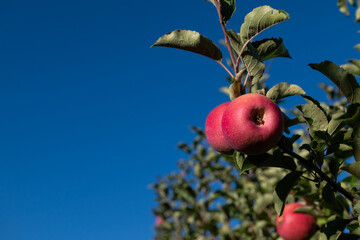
x,y
252,124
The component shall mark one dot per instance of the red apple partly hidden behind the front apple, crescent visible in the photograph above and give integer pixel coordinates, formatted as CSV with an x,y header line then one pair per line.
x,y
213,131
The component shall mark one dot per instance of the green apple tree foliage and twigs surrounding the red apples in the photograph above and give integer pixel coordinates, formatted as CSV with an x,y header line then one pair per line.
x,y
317,161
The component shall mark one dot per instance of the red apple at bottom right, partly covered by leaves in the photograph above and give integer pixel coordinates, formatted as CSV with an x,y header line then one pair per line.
x,y
295,226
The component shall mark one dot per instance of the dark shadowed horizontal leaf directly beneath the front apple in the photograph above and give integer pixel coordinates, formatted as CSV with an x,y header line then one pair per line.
x,y
267,160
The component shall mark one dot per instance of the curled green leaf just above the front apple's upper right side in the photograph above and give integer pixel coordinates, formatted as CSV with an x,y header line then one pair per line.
x,y
283,90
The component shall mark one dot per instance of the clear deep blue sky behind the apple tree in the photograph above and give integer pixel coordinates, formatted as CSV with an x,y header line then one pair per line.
x,y
90,115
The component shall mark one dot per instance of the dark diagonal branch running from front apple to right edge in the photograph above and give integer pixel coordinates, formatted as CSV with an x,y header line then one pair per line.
x,y
321,174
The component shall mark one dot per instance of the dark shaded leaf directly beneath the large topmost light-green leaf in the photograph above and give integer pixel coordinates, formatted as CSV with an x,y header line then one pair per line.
x,y
271,48
